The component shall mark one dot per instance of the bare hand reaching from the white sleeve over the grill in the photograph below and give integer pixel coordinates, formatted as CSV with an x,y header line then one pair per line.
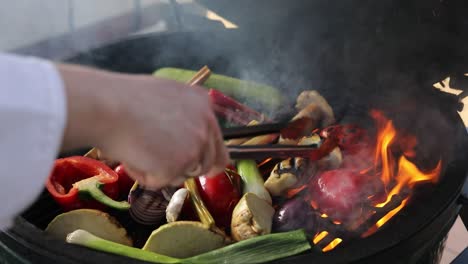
x,y
160,129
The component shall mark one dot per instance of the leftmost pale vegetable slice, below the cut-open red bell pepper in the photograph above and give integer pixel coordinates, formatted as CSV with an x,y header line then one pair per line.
x,y
96,222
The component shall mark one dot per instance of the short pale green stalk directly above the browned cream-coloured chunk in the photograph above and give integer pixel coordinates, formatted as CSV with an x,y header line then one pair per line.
x,y
252,179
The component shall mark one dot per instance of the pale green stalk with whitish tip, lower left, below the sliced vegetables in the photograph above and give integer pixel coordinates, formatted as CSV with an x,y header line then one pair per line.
x,y
84,238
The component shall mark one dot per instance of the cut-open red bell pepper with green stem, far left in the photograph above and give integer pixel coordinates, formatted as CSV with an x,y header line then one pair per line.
x,y
81,182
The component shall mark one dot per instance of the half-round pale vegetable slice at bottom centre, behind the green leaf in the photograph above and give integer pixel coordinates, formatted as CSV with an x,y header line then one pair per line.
x,y
183,239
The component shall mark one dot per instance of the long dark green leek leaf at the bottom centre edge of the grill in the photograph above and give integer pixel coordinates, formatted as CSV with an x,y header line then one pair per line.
x,y
257,250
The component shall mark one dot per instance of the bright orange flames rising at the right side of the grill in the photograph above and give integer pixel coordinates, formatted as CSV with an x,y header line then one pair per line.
x,y
398,174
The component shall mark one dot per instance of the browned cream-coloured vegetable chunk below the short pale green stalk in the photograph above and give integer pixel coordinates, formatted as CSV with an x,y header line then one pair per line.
x,y
251,217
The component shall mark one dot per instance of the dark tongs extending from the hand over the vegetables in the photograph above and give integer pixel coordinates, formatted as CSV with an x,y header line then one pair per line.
x,y
290,130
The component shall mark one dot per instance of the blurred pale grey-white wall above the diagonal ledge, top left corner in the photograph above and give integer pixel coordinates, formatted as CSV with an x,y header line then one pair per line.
x,y
25,22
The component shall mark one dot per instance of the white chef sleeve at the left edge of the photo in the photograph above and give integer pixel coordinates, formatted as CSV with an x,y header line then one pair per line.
x,y
32,122
